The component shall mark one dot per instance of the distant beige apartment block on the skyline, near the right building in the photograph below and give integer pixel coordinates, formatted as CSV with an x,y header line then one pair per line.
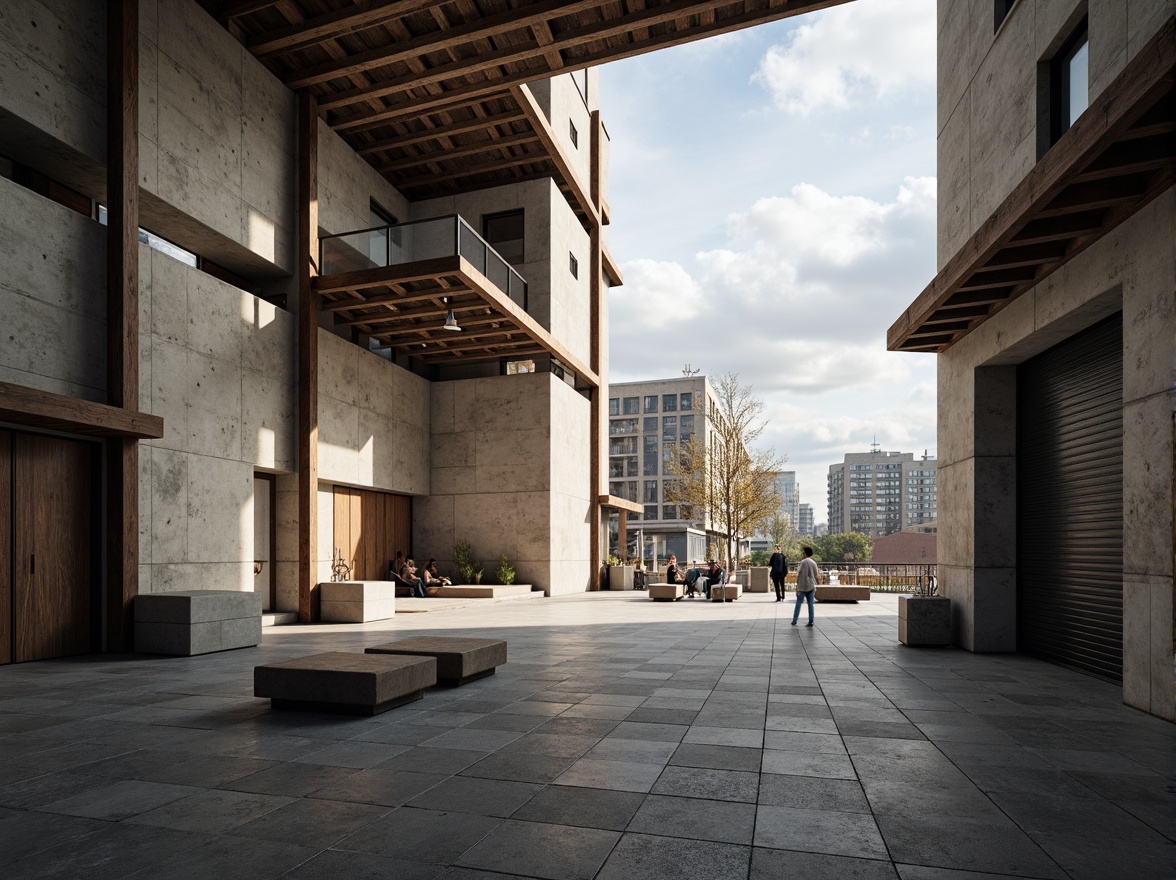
x,y
881,492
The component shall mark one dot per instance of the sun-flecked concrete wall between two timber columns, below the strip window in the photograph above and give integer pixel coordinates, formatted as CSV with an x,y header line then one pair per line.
x,y
218,365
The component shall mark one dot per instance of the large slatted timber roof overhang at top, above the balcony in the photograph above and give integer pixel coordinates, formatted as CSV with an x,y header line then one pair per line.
x,y
424,89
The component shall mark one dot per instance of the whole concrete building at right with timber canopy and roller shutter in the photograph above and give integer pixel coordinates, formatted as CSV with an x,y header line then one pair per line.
x,y
1053,315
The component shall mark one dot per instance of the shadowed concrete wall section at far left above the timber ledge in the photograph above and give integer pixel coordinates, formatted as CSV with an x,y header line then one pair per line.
x,y
52,295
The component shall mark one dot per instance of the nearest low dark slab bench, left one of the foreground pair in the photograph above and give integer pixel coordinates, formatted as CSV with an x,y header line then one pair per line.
x,y
351,684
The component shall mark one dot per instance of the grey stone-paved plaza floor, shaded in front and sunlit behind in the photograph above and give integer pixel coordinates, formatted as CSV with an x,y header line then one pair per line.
x,y
624,741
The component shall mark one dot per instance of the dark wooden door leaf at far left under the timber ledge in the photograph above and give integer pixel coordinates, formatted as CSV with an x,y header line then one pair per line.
x,y
54,565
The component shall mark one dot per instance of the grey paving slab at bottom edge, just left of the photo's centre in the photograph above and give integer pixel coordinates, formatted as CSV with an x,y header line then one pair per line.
x,y
559,852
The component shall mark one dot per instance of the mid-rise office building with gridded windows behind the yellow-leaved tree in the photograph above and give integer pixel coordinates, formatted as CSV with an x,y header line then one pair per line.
x,y
647,422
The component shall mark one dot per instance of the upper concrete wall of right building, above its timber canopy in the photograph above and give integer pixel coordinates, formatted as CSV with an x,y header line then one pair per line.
x,y
988,92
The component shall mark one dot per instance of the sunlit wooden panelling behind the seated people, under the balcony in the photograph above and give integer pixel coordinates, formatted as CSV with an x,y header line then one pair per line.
x,y
370,528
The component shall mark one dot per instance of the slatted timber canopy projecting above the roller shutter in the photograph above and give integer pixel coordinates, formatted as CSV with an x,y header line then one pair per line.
x,y
1118,157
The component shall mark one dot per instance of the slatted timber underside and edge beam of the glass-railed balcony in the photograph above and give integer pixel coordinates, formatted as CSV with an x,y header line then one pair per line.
x,y
405,306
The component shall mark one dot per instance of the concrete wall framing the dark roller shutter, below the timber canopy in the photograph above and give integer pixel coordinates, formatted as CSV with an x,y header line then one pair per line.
x,y
1134,270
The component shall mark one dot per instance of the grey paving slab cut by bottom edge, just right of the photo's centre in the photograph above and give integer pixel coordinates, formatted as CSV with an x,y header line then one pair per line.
x,y
646,857
